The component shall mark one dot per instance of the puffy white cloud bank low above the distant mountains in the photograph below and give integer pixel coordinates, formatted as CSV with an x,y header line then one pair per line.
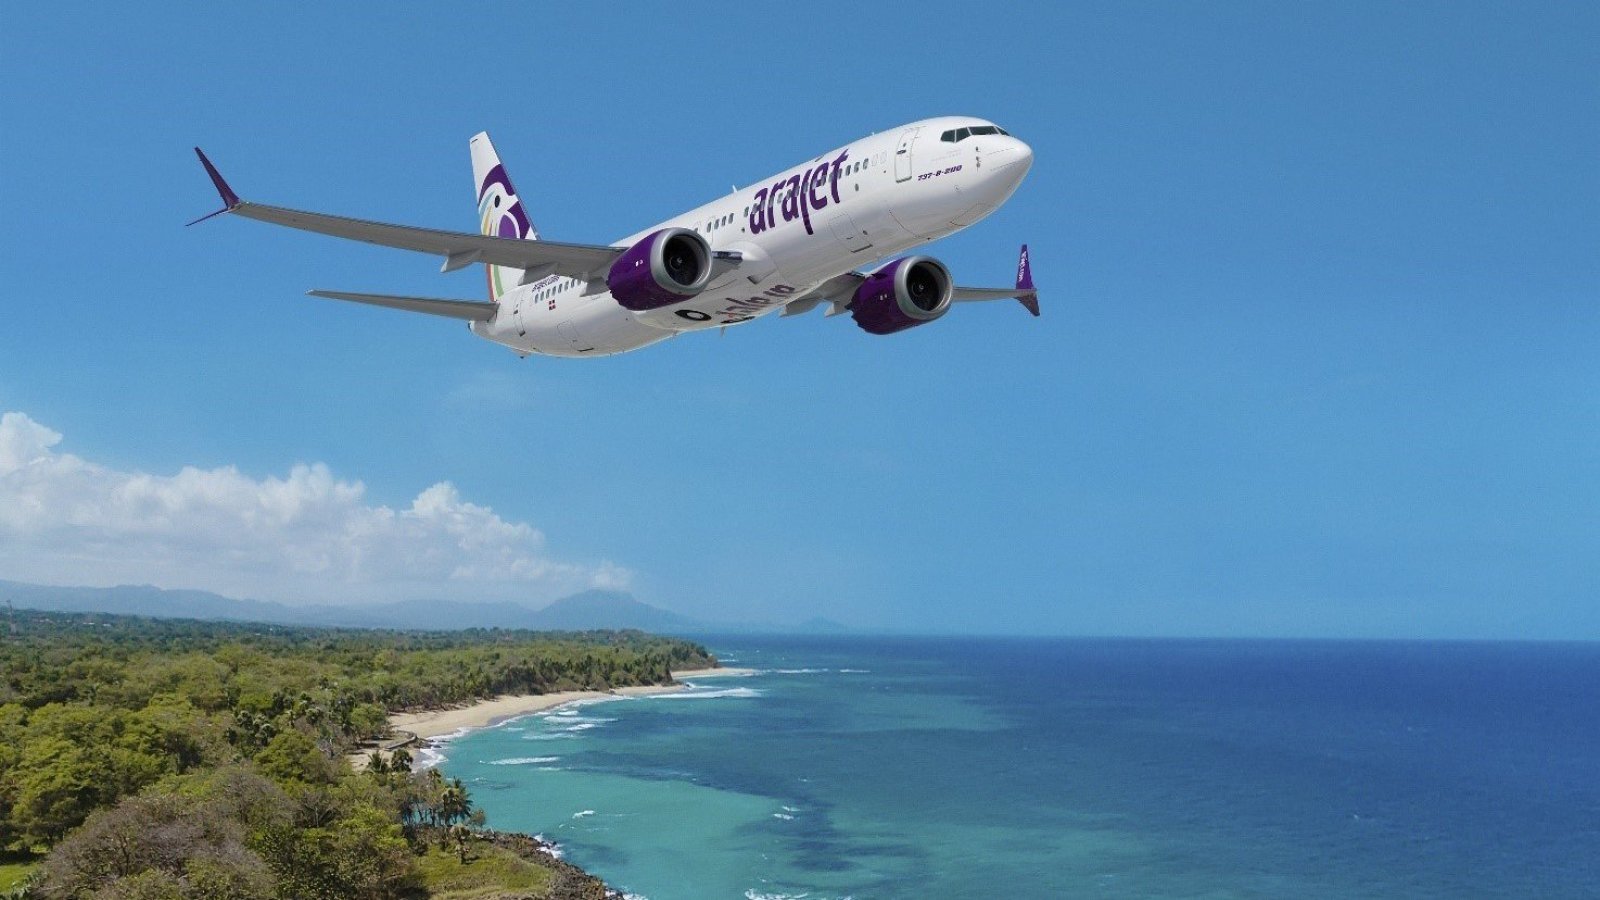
x,y
305,537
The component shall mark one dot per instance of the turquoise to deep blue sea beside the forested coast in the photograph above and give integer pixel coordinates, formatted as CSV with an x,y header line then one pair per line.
x,y
1017,768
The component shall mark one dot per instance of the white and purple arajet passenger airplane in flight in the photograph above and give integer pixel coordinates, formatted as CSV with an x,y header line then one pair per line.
x,y
791,243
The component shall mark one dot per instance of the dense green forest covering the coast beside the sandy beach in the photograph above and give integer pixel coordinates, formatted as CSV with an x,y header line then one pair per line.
x,y
185,760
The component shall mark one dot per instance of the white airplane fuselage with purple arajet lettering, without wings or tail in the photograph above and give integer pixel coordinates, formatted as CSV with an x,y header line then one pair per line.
x,y
866,201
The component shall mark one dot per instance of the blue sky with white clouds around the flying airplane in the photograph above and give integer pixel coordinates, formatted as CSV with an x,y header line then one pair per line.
x,y
1319,352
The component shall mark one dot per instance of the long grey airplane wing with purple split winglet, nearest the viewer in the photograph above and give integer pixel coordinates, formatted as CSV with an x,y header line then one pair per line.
x,y
586,262
